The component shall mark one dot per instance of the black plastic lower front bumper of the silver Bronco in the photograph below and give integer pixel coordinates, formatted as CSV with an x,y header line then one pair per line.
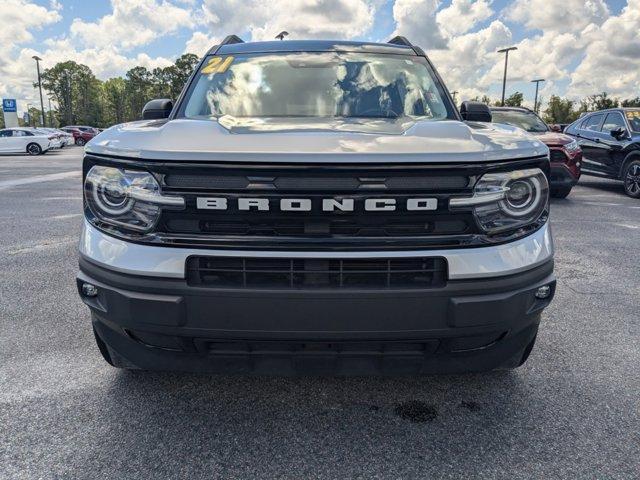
x,y
472,324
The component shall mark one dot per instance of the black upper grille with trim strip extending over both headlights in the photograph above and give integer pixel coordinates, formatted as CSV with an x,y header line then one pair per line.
x,y
356,228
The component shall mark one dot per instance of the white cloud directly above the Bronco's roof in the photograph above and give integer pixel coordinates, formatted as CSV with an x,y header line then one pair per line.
x,y
264,19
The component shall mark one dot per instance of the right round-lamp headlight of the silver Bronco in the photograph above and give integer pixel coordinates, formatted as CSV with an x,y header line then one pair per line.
x,y
507,200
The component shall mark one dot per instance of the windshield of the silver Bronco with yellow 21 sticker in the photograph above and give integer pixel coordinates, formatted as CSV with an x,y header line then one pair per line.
x,y
324,84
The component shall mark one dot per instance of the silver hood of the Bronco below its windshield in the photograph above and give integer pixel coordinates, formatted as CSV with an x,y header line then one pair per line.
x,y
300,140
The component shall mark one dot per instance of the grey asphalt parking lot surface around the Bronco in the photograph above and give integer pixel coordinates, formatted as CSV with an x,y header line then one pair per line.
x,y
571,412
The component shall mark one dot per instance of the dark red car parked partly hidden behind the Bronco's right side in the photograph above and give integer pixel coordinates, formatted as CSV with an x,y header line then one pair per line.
x,y
566,155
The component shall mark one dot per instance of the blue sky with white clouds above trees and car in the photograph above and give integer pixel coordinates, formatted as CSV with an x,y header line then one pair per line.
x,y
580,46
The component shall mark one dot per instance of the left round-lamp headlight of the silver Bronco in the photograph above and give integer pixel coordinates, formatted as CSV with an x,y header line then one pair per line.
x,y
126,198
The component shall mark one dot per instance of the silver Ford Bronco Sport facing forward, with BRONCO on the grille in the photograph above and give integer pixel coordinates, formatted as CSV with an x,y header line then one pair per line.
x,y
315,207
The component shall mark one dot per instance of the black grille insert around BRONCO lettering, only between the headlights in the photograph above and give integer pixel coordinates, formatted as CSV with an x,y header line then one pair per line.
x,y
255,228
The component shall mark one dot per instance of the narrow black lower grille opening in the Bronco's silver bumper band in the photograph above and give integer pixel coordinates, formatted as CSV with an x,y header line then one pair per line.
x,y
290,273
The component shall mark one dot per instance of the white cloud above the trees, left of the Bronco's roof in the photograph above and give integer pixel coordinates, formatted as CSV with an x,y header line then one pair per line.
x,y
132,23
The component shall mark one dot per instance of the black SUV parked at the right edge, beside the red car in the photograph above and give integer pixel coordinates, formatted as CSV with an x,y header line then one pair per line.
x,y
610,140
